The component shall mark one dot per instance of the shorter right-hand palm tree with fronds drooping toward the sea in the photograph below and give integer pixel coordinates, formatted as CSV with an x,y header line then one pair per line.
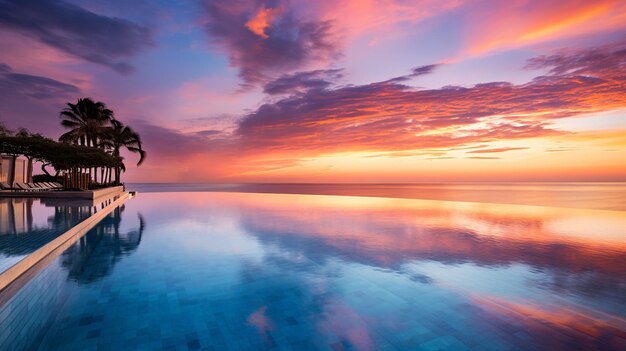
x,y
120,136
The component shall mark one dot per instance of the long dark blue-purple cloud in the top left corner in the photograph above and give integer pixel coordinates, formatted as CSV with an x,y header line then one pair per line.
x,y
103,40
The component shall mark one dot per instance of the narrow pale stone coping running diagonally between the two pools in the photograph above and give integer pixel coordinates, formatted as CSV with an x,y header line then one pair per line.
x,y
63,241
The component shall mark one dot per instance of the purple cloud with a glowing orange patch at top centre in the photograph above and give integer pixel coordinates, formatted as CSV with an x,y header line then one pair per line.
x,y
263,40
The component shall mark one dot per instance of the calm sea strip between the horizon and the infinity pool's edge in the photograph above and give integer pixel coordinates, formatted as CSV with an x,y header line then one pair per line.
x,y
605,196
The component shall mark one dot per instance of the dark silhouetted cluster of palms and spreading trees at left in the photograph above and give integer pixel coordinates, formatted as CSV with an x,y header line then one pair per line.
x,y
90,149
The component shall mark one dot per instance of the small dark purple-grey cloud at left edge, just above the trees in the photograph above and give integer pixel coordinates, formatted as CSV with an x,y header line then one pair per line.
x,y
33,86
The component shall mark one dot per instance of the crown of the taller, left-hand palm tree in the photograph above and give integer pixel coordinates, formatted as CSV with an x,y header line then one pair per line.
x,y
86,120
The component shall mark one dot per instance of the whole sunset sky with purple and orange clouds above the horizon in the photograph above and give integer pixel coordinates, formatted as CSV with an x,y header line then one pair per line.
x,y
332,91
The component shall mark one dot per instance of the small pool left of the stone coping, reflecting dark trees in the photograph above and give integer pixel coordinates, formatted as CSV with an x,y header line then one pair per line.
x,y
26,224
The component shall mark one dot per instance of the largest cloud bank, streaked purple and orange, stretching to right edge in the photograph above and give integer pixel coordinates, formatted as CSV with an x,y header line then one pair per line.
x,y
389,116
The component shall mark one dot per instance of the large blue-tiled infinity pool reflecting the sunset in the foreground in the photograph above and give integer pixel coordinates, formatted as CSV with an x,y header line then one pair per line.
x,y
232,271
